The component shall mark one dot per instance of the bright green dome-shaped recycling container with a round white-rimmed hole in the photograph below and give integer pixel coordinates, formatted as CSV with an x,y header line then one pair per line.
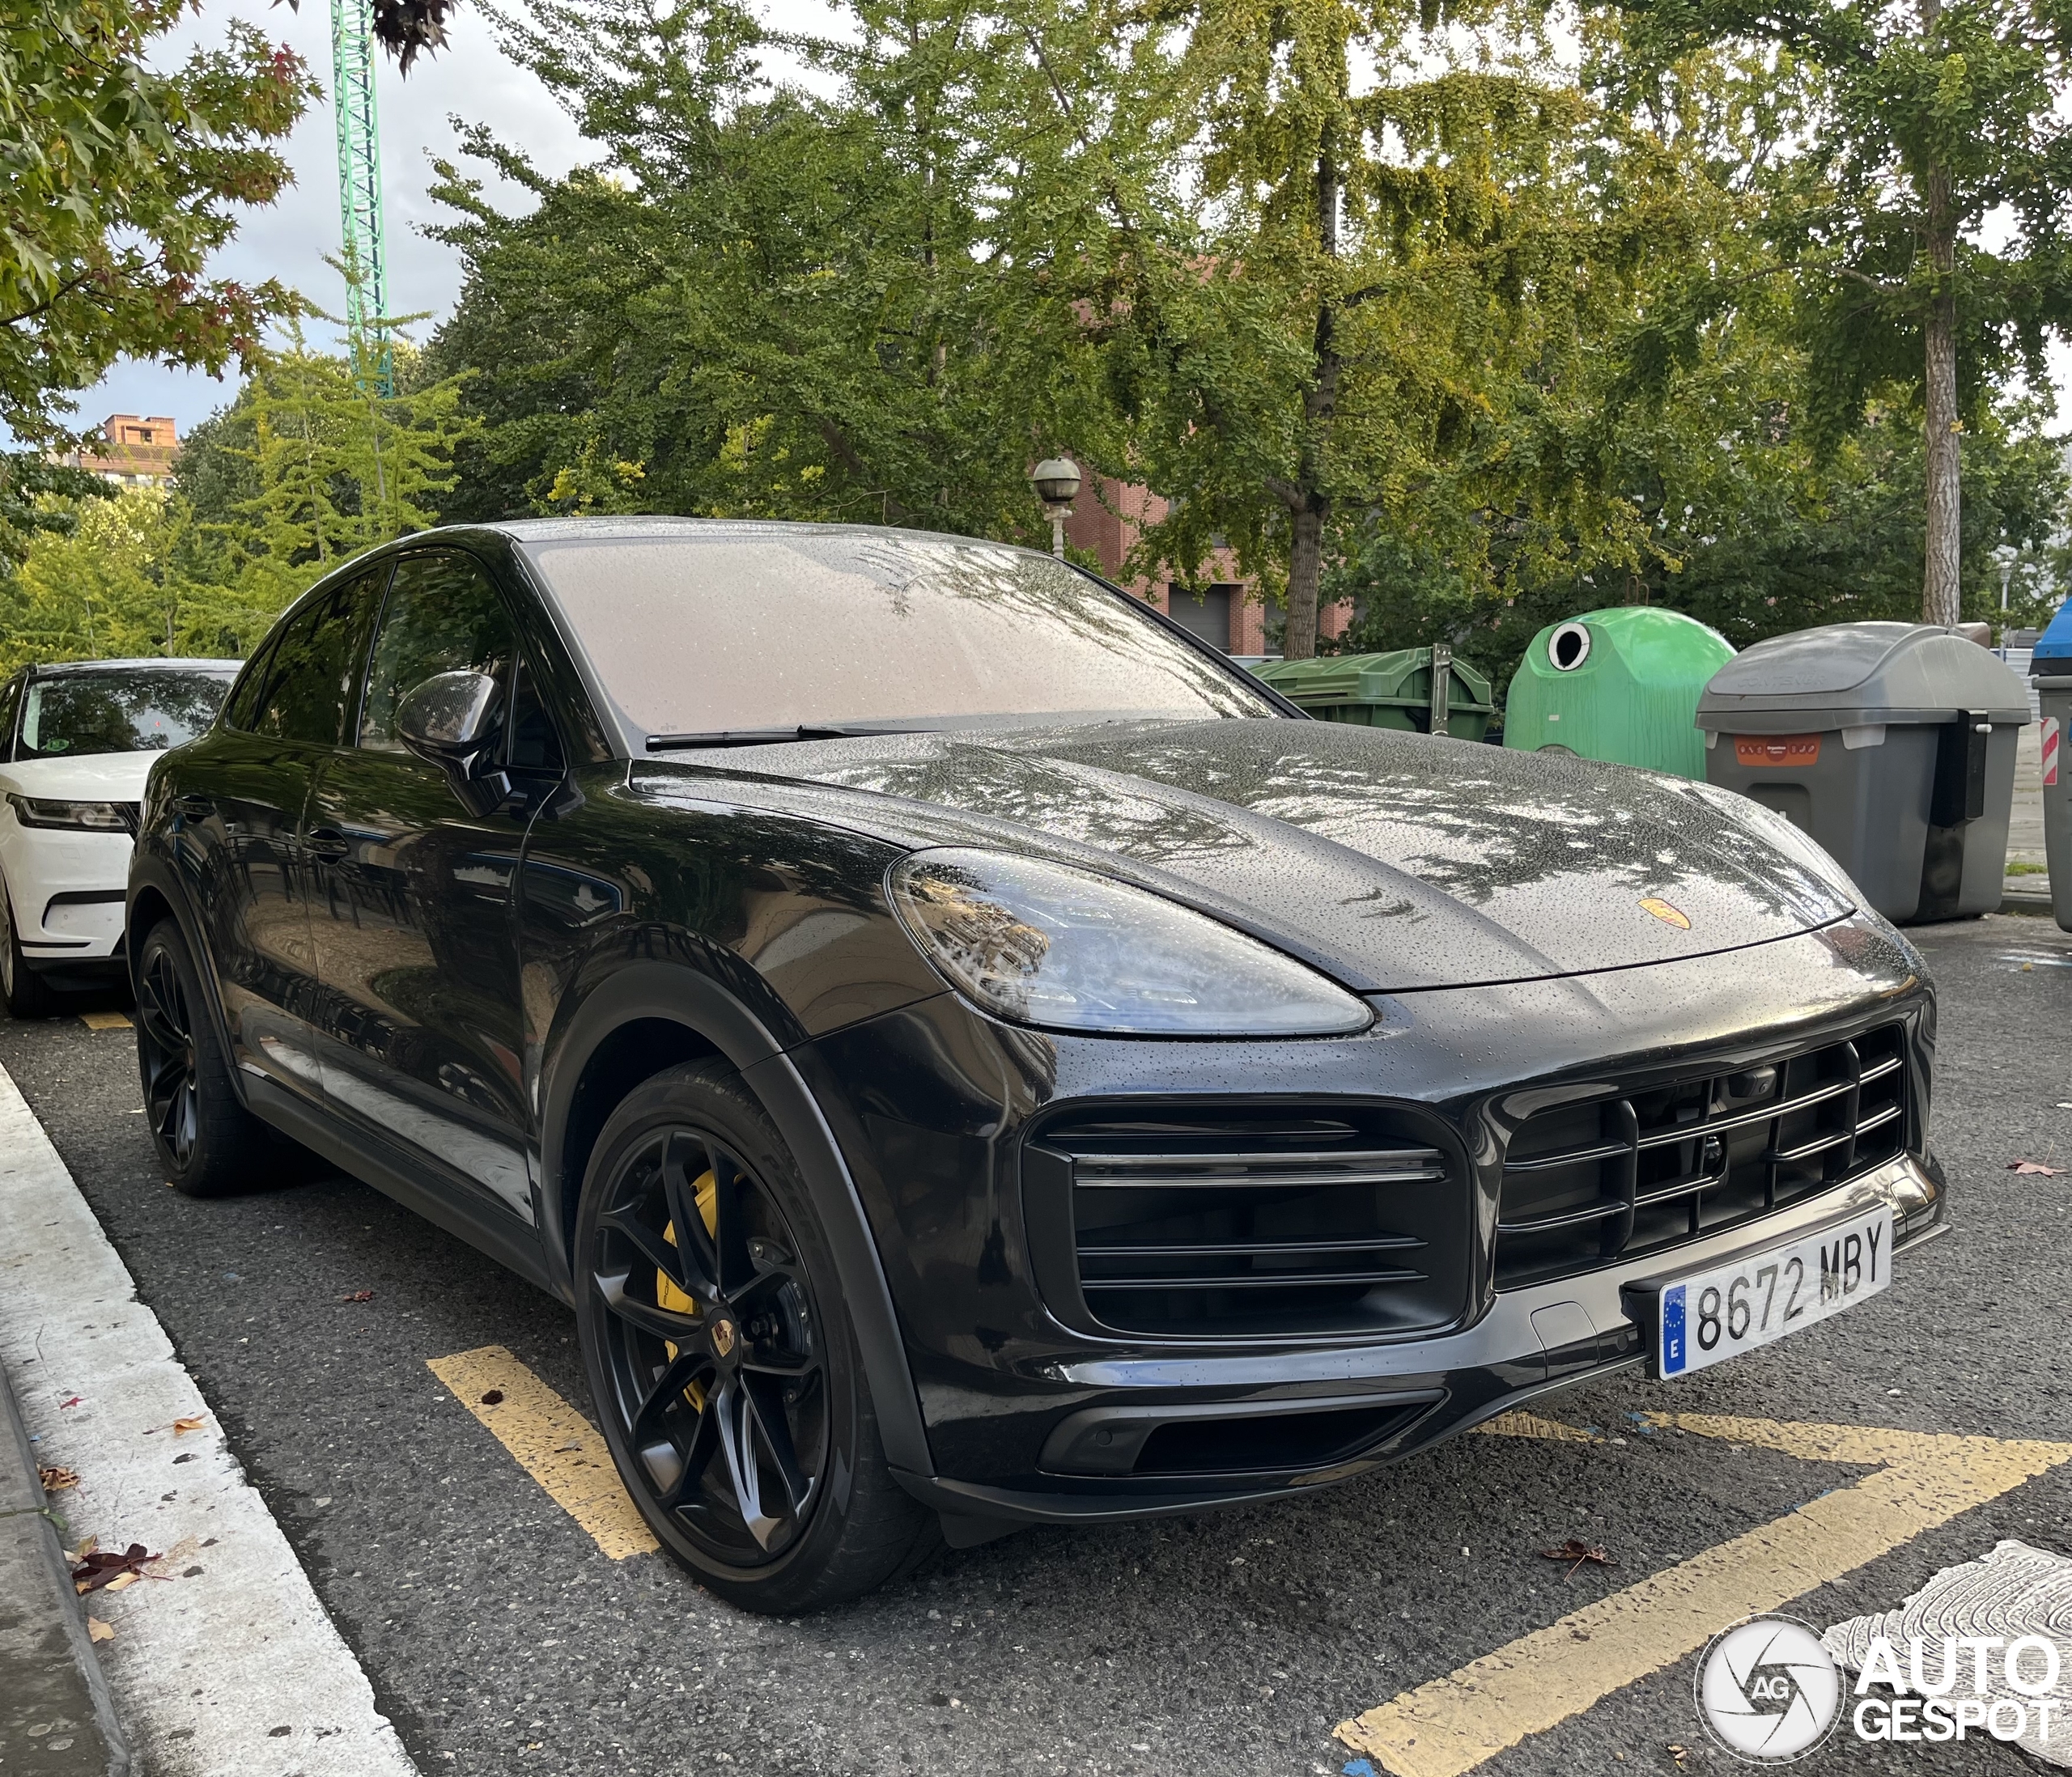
x,y
1617,684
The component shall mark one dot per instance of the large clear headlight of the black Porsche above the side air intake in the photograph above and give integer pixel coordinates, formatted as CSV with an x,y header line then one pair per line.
x,y
1049,945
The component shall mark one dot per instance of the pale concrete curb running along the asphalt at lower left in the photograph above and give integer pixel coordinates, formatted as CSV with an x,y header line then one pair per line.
x,y
225,1662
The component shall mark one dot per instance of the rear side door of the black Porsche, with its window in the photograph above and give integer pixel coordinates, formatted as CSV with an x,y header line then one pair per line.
x,y
237,798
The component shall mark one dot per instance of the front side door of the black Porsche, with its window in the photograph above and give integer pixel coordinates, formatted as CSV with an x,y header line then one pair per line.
x,y
411,916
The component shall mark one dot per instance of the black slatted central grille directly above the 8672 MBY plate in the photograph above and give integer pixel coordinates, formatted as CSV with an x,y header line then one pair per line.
x,y
1640,1173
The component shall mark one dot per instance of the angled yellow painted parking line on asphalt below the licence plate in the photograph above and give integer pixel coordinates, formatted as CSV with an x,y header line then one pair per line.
x,y
1466,1718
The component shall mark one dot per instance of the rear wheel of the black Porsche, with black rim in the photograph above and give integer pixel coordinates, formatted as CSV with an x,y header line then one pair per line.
x,y
206,1140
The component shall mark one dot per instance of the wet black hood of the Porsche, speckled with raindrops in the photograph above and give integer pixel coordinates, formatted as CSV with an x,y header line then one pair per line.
x,y
1395,861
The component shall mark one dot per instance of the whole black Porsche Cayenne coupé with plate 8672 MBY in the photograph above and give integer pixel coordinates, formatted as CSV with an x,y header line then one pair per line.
x,y
973,1057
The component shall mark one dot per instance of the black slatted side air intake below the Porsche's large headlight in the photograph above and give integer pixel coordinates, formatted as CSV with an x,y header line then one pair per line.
x,y
1265,1223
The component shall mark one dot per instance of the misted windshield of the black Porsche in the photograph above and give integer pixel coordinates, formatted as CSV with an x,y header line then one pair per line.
x,y
706,635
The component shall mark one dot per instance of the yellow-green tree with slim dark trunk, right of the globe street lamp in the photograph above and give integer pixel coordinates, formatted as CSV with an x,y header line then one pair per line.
x,y
1398,285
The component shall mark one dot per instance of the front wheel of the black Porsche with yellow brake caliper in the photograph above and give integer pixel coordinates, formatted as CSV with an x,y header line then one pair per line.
x,y
724,1368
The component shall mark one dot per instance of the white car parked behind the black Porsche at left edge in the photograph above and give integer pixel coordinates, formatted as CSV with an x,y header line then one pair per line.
x,y
76,747
